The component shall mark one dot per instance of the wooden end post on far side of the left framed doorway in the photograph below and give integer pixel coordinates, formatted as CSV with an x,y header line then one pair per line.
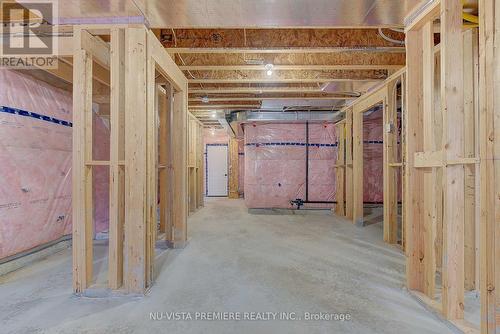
x,y
179,163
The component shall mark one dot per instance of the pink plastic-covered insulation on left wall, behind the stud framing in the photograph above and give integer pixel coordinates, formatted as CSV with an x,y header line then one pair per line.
x,y
35,168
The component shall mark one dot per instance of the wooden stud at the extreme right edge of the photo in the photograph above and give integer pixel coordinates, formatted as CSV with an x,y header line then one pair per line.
x,y
489,132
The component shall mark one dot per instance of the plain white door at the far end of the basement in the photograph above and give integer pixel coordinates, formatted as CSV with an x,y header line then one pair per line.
x,y
217,170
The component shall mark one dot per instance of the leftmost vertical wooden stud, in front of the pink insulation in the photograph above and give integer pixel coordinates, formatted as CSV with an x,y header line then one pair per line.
x,y
81,171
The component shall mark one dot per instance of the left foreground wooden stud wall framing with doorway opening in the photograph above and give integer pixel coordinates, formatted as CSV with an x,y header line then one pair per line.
x,y
133,59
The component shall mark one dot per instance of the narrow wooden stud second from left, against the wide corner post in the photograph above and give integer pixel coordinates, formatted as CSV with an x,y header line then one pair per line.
x,y
117,154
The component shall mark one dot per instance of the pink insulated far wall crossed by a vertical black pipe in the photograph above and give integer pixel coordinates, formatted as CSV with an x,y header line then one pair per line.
x,y
275,164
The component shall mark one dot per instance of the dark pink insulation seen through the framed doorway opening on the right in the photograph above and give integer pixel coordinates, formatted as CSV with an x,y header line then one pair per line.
x,y
372,157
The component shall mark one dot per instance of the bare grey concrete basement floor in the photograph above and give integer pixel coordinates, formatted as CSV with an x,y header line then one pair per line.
x,y
236,262
